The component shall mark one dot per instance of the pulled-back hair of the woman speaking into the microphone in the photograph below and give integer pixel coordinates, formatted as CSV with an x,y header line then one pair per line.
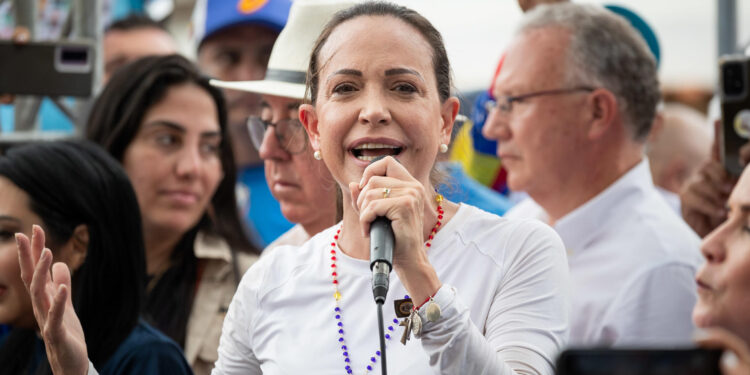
x,y
378,8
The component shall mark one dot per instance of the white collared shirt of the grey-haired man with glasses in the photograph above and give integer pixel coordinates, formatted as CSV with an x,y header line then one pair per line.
x,y
632,265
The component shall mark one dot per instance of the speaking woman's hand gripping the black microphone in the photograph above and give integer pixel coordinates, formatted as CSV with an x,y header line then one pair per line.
x,y
412,212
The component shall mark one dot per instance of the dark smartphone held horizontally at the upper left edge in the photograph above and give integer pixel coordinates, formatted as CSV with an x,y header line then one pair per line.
x,y
47,68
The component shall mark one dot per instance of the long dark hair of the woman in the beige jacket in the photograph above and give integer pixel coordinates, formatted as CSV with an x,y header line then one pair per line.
x,y
113,123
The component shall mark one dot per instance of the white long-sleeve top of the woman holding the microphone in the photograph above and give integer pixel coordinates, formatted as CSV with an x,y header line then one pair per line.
x,y
504,305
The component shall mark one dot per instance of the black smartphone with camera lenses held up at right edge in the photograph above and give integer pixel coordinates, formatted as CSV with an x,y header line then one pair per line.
x,y
735,109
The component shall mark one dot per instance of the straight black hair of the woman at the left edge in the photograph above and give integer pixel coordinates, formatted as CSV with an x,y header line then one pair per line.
x,y
72,183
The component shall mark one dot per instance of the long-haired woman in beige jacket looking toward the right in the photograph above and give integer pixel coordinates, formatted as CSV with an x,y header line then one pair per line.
x,y
168,127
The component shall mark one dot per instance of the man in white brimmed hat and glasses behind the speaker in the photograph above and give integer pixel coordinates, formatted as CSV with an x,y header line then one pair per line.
x,y
304,188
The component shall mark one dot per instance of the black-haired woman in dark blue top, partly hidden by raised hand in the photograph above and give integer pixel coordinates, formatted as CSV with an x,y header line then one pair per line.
x,y
82,200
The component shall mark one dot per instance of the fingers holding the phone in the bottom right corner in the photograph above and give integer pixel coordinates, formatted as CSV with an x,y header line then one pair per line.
x,y
736,357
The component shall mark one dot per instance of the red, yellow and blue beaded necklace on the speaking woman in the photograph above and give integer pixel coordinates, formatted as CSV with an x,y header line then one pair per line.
x,y
337,295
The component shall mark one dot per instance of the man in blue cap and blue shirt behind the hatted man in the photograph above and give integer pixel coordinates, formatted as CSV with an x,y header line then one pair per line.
x,y
234,39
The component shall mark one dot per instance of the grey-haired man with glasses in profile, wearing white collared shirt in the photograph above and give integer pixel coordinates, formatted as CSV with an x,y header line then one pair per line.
x,y
575,101
